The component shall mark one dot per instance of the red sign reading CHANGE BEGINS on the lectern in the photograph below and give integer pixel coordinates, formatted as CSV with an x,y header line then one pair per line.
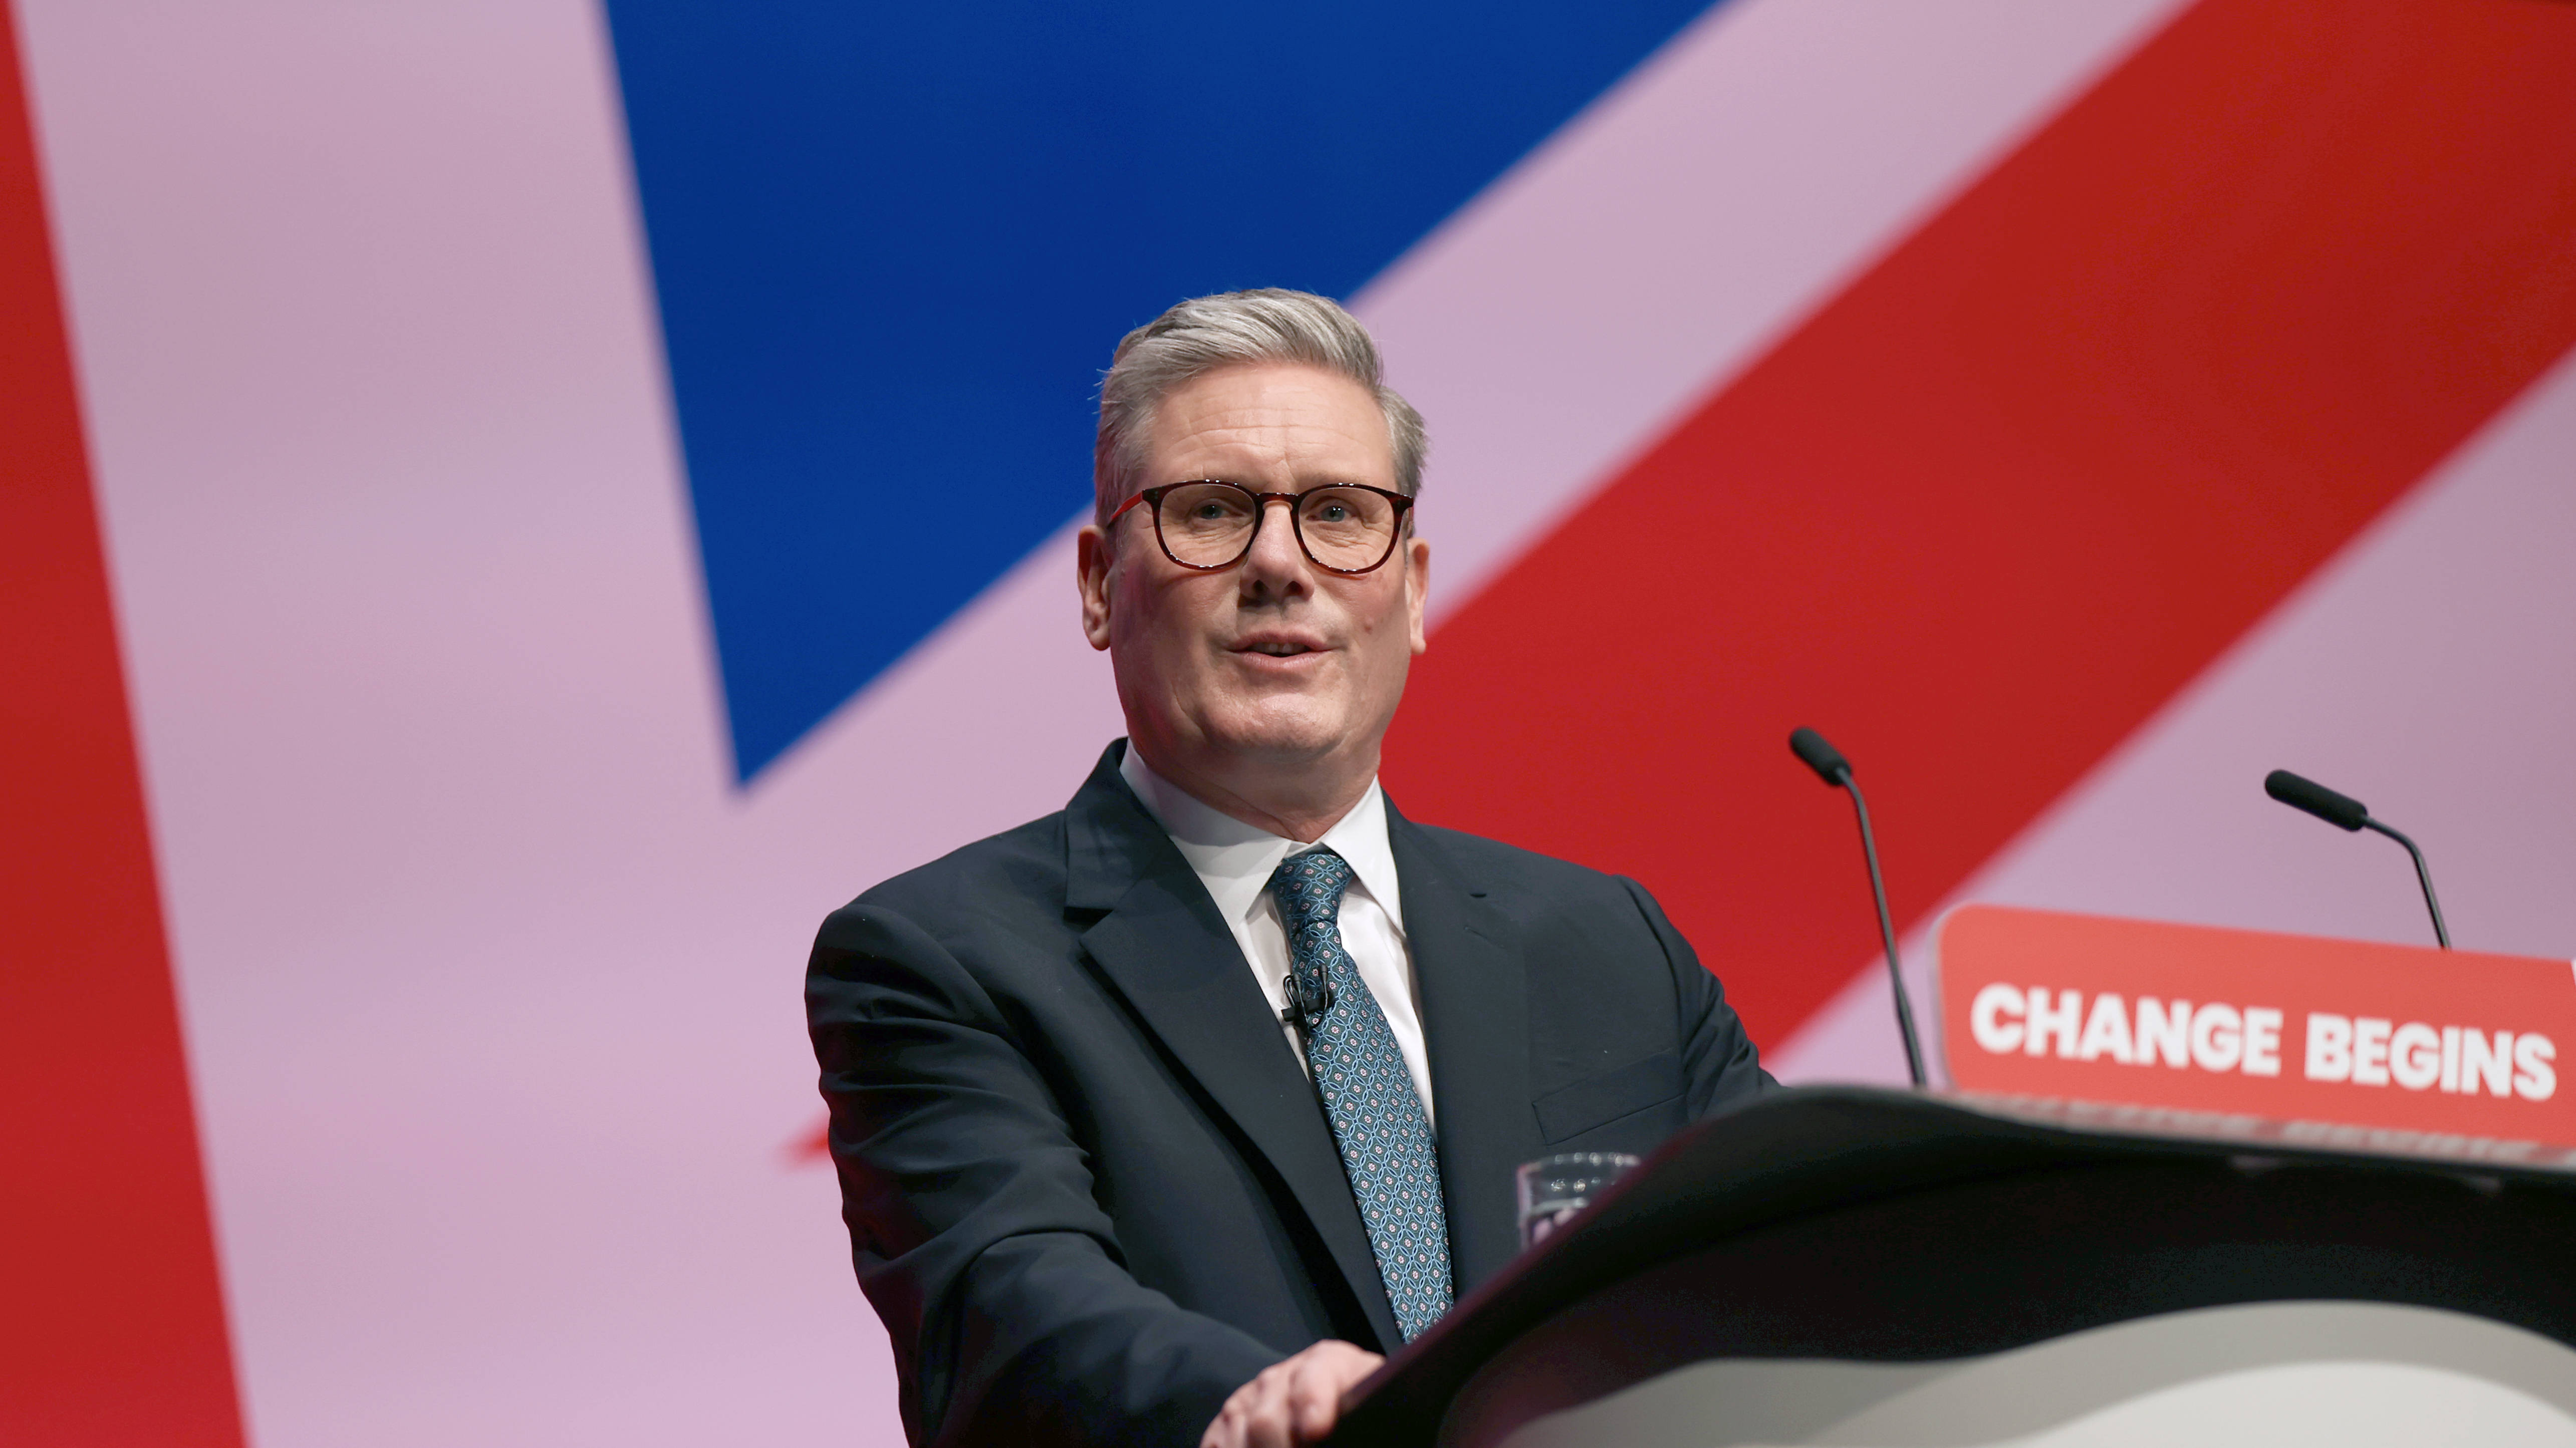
x,y
2309,1037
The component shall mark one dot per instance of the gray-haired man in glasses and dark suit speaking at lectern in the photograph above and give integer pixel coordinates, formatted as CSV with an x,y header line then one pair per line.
x,y
1166,1117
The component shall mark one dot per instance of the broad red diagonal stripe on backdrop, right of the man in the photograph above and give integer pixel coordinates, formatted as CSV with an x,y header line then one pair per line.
x,y
2023,481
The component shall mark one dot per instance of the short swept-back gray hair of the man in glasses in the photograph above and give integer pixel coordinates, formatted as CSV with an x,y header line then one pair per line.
x,y
1235,329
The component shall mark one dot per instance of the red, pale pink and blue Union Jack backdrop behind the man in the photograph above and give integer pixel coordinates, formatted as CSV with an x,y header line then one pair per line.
x,y
483,576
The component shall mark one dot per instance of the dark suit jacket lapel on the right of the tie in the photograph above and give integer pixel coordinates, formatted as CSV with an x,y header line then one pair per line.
x,y
1477,1034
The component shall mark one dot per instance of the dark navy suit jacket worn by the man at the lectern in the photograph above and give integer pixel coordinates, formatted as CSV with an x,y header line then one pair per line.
x,y
1088,1186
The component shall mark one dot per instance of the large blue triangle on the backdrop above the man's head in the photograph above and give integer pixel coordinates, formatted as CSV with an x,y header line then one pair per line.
x,y
895,246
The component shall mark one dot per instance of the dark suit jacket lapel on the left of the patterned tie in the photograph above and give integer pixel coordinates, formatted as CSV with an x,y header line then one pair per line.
x,y
1168,952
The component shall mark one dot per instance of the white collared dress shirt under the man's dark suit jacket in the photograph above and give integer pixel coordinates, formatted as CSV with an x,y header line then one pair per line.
x,y
1235,862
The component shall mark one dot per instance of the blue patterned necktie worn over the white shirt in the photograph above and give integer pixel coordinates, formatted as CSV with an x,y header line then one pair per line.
x,y
1369,1094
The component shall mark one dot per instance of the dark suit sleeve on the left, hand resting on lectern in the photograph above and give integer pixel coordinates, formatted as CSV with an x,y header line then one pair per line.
x,y
972,1217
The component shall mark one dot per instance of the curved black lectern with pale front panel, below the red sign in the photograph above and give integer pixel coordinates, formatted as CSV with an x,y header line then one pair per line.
x,y
1866,1266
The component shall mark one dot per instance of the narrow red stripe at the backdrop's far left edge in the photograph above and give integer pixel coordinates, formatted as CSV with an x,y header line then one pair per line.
x,y
112,1328
